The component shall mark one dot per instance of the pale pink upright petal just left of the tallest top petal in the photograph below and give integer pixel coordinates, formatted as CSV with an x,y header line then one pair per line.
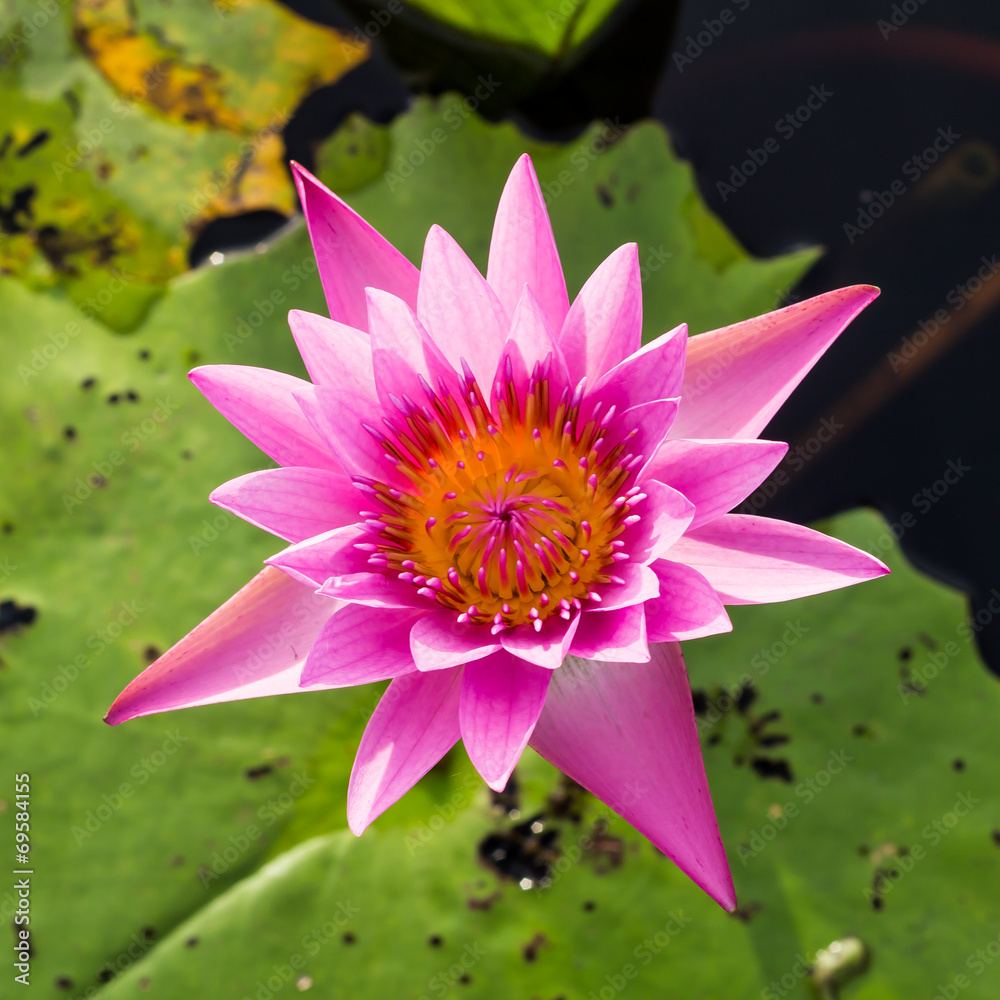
x,y
459,309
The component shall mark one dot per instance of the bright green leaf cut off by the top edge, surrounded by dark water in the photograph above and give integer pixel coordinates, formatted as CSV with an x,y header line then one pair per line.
x,y
553,29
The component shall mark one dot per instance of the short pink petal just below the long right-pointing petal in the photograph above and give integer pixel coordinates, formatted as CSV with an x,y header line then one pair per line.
x,y
688,606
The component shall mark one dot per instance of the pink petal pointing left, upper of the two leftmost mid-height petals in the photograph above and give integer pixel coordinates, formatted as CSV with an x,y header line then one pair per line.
x,y
261,404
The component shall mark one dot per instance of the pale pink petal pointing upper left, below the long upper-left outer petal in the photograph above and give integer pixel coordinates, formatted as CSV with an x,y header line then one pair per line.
x,y
334,354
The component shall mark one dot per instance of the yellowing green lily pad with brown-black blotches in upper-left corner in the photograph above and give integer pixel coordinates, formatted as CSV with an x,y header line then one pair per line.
x,y
125,128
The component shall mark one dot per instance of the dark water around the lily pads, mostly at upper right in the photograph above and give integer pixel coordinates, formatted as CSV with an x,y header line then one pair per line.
x,y
870,128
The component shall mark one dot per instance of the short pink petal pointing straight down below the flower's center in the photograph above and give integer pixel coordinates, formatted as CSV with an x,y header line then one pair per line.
x,y
502,697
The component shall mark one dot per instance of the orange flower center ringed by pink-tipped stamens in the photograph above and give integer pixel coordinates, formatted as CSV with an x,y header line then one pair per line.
x,y
515,510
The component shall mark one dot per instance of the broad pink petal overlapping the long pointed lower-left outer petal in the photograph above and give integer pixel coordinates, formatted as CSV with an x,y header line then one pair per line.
x,y
359,645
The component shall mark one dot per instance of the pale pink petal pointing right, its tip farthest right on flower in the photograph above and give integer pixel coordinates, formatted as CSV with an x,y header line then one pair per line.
x,y
758,560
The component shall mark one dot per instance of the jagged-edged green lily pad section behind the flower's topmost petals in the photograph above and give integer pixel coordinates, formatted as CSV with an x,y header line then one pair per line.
x,y
608,187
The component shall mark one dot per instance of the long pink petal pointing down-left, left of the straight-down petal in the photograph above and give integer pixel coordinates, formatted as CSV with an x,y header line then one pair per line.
x,y
414,725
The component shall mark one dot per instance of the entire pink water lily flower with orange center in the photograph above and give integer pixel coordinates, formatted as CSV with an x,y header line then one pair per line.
x,y
506,504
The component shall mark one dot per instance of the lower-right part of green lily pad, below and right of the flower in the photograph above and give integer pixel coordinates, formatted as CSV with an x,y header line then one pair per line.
x,y
875,798
